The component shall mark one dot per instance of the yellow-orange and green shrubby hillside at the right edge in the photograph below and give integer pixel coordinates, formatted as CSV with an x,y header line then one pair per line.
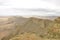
x,y
55,30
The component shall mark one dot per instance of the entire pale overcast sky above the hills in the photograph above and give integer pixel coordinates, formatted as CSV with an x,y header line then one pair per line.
x,y
30,7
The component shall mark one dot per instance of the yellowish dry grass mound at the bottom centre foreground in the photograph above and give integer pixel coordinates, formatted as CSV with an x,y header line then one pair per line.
x,y
26,36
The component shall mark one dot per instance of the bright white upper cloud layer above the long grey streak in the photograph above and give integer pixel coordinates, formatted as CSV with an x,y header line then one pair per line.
x,y
29,4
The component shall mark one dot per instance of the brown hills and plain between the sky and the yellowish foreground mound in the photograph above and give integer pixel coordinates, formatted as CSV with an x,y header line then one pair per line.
x,y
11,26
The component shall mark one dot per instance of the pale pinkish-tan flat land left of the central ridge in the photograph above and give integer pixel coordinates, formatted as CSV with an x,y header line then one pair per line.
x,y
7,26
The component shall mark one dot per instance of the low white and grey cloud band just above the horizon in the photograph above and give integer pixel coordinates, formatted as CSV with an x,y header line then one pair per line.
x,y
25,12
